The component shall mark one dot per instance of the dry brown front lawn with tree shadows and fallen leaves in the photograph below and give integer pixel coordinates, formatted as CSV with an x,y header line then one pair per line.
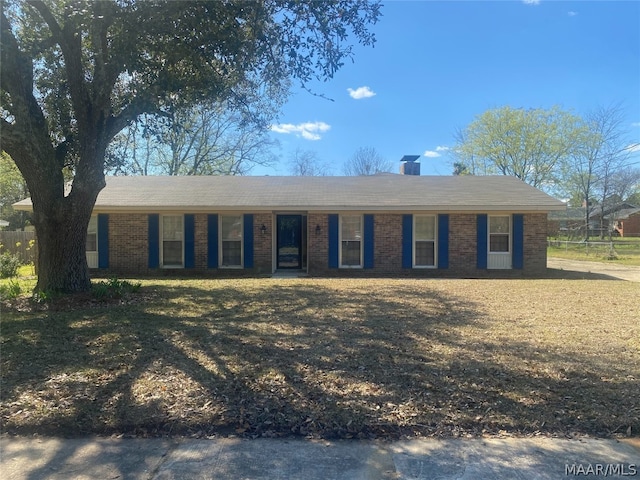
x,y
331,358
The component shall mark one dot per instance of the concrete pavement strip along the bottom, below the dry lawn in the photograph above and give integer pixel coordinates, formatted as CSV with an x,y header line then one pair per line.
x,y
531,458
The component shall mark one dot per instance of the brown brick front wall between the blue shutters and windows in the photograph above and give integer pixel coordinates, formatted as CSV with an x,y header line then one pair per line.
x,y
128,246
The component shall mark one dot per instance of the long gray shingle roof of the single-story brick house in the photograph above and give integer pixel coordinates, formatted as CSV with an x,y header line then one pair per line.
x,y
373,193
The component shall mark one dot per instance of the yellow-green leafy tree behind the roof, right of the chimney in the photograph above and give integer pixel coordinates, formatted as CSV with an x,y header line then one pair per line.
x,y
528,144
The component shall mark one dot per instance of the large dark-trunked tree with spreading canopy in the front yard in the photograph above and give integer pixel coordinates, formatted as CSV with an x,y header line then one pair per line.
x,y
75,73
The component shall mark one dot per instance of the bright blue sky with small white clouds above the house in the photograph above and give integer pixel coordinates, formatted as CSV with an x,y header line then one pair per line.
x,y
436,65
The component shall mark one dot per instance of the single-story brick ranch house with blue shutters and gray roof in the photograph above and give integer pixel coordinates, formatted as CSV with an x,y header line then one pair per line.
x,y
388,224
